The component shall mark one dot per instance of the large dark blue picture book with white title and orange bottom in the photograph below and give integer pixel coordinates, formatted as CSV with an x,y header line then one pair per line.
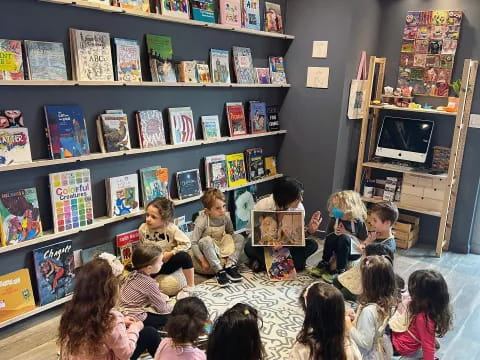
x,y
66,130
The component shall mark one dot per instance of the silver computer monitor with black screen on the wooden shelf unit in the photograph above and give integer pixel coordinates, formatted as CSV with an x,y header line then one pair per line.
x,y
405,139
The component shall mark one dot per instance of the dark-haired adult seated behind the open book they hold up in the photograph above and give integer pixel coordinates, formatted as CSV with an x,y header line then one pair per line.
x,y
287,195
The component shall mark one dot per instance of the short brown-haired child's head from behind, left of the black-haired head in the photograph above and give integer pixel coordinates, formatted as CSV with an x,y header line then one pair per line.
x,y
187,320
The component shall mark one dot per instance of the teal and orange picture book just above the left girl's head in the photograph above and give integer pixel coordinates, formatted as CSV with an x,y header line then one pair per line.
x,y
154,183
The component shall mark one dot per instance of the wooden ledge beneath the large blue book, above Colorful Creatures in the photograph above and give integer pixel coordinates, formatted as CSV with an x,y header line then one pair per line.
x,y
96,156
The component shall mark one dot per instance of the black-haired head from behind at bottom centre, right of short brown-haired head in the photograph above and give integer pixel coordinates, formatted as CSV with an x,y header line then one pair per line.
x,y
235,335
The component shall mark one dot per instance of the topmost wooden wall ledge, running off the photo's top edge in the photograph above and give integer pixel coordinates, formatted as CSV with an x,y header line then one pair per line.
x,y
159,17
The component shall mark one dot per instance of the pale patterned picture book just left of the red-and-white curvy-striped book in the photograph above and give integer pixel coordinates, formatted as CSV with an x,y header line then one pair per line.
x,y
150,128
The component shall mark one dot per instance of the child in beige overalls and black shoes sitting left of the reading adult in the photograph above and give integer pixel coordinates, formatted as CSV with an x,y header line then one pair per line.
x,y
214,242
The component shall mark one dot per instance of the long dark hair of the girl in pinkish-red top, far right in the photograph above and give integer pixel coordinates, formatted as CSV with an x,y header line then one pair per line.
x,y
429,293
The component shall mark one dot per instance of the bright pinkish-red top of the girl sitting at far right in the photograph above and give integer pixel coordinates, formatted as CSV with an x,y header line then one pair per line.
x,y
420,334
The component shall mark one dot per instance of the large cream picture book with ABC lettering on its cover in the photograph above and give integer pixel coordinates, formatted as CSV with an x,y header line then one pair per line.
x,y
91,55
